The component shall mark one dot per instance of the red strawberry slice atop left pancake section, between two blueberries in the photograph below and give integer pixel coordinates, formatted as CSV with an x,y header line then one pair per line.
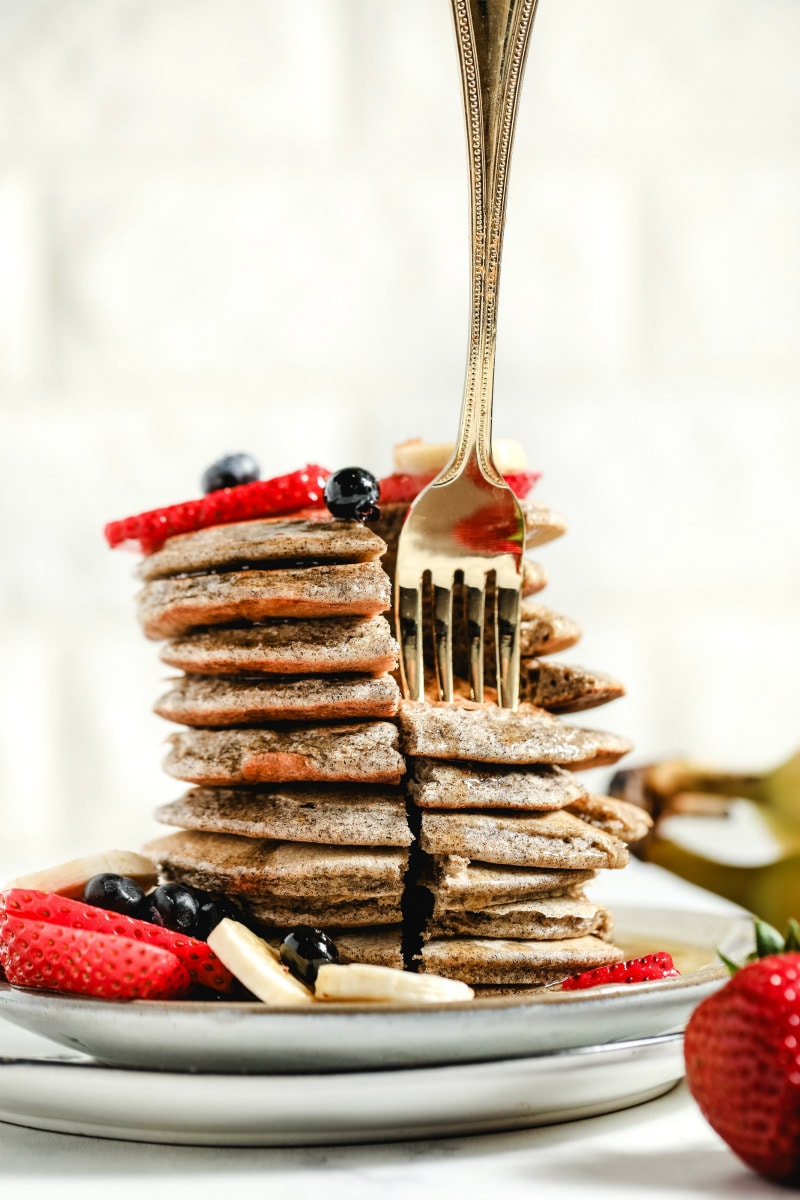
x,y
263,499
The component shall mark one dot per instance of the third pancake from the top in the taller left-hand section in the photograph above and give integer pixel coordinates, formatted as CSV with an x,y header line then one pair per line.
x,y
332,646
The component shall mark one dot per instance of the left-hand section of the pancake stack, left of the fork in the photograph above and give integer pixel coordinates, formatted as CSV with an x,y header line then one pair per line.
x,y
287,703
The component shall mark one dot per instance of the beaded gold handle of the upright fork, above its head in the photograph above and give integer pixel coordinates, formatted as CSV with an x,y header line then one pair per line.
x,y
492,39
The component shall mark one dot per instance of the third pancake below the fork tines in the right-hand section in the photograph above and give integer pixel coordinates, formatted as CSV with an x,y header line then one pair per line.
x,y
558,841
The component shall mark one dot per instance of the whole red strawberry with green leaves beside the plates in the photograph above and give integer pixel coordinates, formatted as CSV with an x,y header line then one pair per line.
x,y
743,1057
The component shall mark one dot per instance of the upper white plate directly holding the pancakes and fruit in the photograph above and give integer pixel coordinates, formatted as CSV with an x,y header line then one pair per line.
x,y
252,1039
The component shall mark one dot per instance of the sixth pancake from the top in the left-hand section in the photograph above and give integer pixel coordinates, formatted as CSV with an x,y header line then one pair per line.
x,y
339,817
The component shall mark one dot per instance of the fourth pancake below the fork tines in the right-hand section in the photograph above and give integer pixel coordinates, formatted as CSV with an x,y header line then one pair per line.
x,y
456,883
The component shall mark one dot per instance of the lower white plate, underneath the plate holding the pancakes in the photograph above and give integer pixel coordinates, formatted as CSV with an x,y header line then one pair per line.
x,y
382,1106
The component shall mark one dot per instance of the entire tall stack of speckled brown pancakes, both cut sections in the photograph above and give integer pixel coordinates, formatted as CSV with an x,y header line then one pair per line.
x,y
312,781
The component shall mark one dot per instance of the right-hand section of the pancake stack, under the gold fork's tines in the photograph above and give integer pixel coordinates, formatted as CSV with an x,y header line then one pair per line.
x,y
508,836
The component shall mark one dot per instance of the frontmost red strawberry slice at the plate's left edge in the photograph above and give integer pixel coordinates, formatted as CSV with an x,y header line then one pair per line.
x,y
89,964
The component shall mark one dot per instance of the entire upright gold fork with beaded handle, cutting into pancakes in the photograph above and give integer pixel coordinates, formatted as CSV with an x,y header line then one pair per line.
x,y
467,526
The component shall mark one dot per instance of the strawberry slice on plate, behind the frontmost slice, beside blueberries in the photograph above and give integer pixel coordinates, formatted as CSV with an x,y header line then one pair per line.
x,y
196,957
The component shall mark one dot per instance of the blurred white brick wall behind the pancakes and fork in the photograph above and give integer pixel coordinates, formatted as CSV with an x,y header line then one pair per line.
x,y
243,225
